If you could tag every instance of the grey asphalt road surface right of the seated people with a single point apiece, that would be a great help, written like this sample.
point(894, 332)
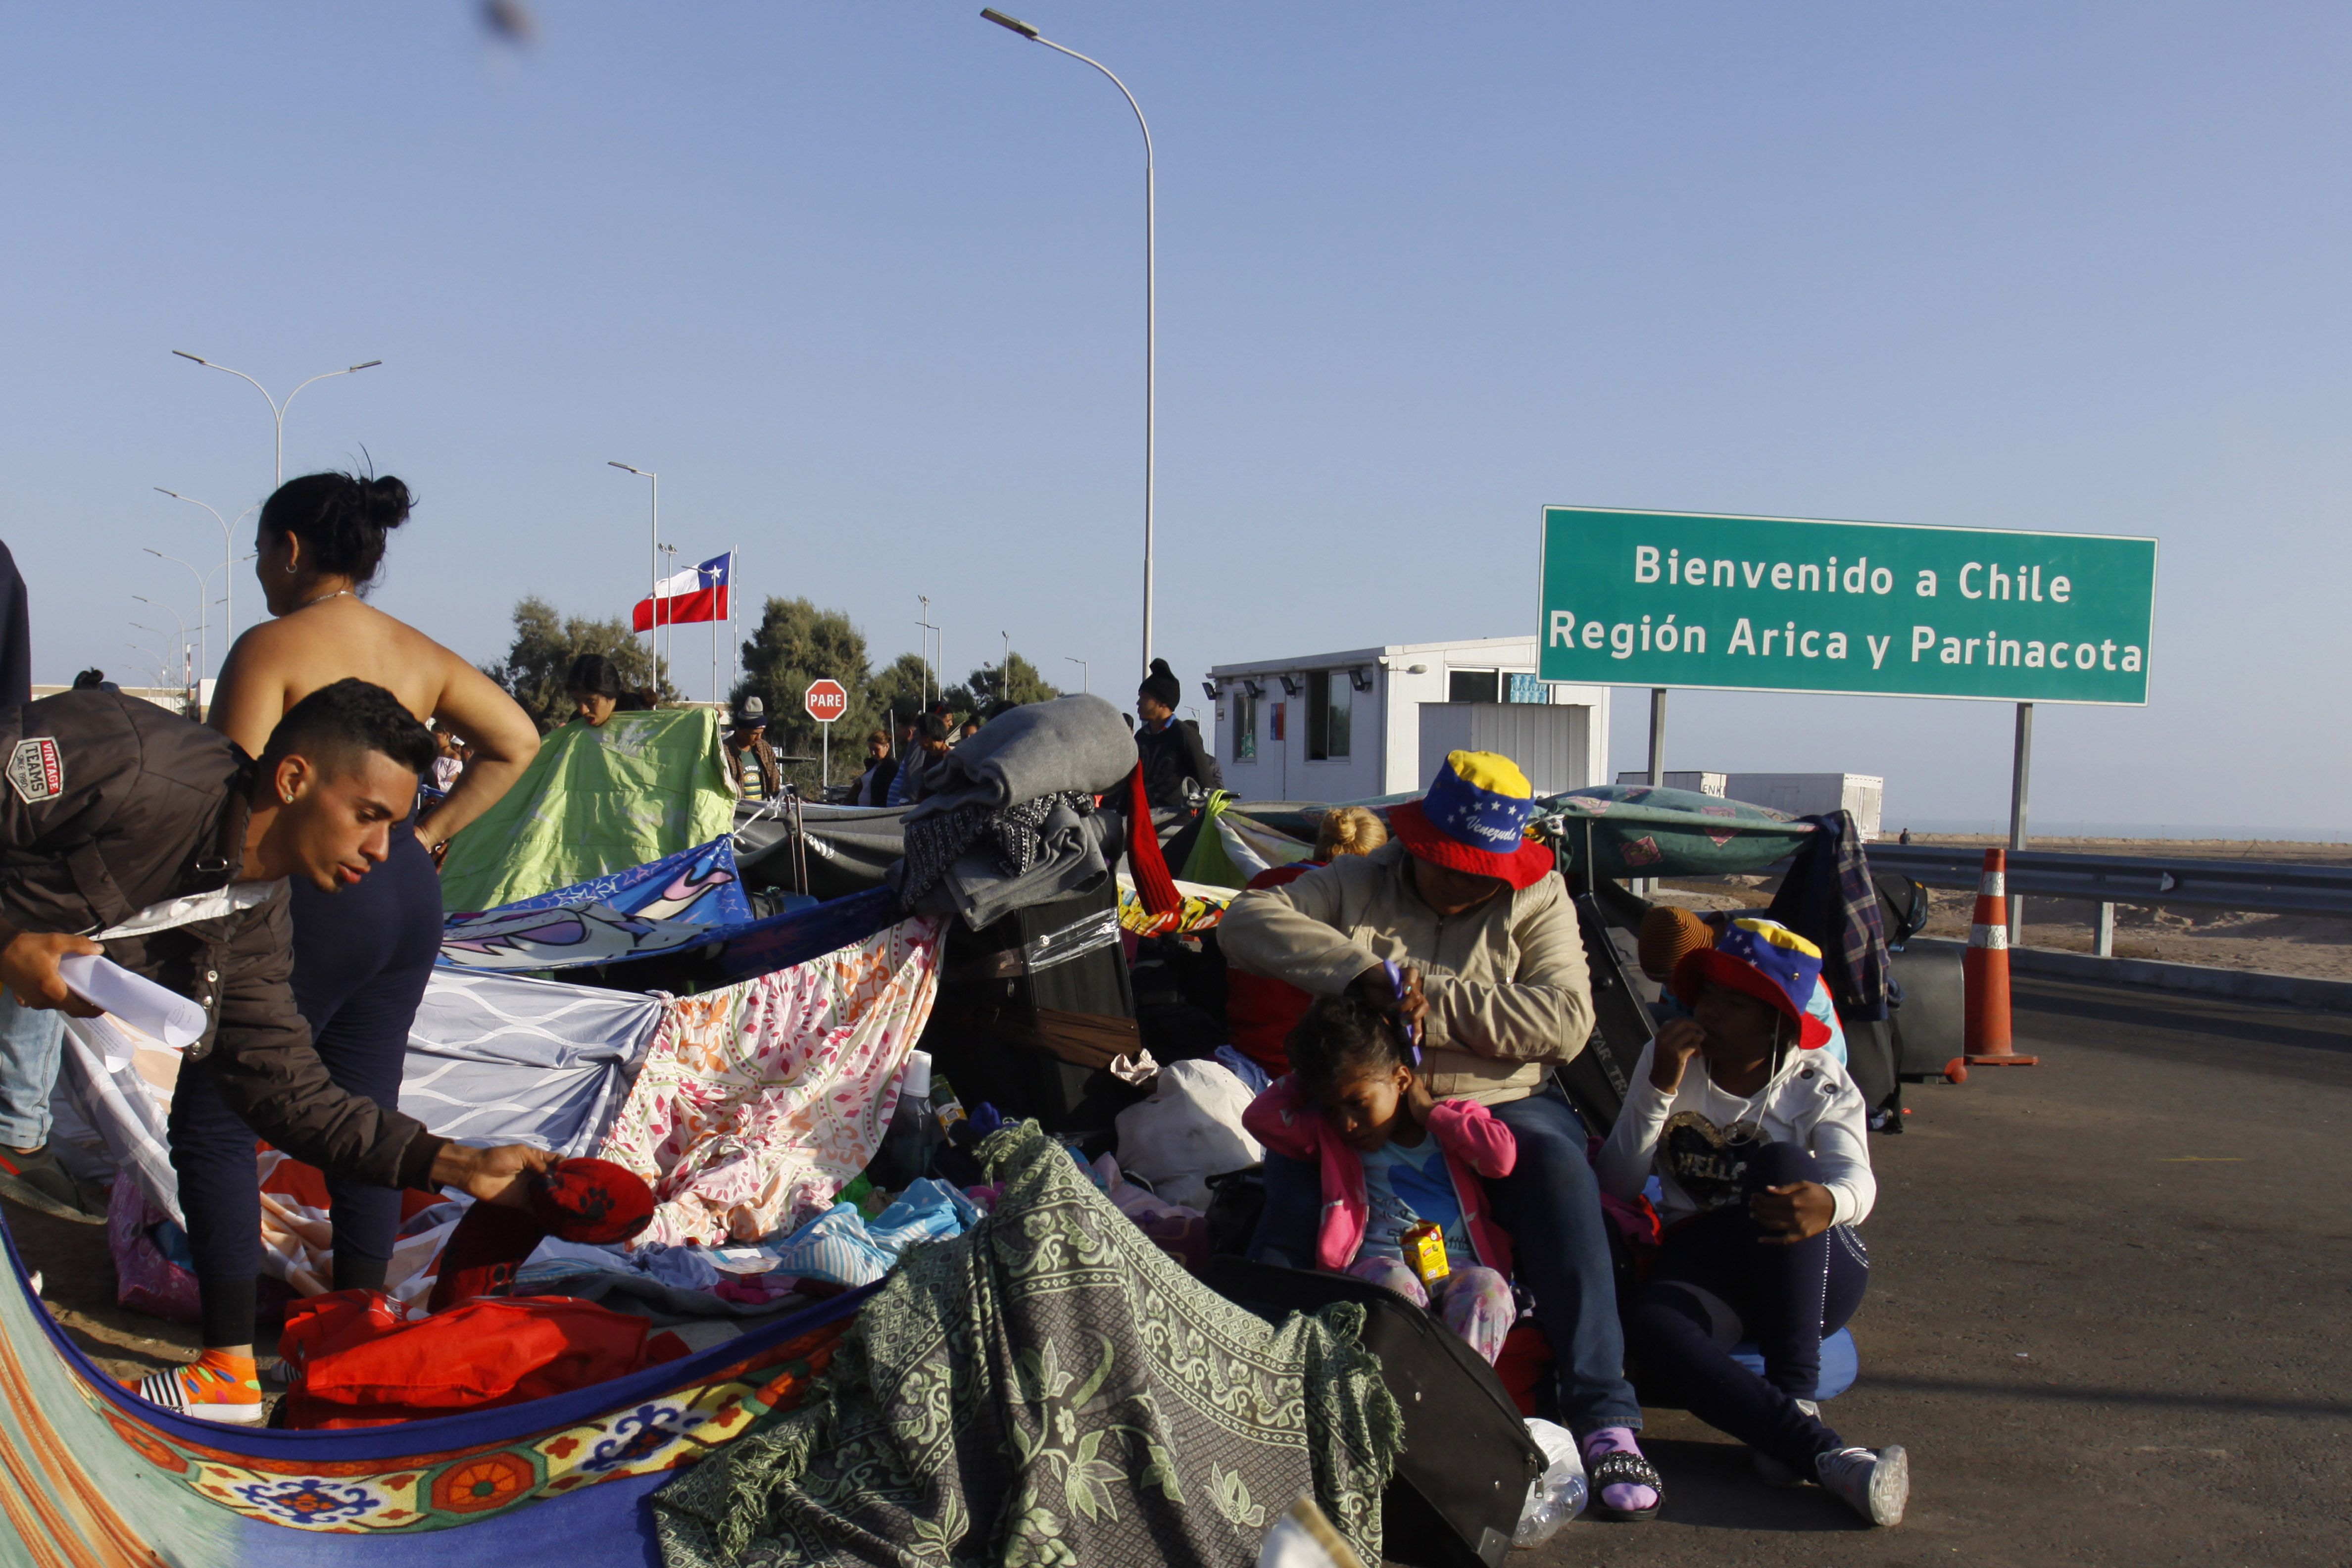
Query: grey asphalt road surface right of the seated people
point(2109, 1313)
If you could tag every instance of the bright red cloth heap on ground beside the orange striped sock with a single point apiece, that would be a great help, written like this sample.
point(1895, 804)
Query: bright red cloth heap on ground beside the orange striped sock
point(363, 1360)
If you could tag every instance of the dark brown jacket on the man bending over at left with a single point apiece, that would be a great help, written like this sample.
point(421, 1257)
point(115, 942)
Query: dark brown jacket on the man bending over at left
point(112, 805)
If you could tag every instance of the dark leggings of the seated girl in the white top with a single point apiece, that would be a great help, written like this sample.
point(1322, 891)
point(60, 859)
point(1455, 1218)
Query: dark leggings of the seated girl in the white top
point(1716, 1285)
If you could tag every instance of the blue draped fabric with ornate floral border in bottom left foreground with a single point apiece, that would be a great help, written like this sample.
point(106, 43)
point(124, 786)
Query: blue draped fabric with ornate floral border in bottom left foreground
point(95, 1475)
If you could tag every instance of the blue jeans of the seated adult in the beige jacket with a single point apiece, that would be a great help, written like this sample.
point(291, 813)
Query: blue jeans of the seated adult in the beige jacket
point(1551, 1209)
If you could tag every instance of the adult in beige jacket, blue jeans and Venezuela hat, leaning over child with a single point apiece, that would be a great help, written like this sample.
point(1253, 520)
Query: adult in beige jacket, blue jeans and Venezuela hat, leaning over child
point(1495, 981)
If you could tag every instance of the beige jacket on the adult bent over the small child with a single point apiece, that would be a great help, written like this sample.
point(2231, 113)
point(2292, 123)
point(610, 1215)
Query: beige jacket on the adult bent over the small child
point(1506, 984)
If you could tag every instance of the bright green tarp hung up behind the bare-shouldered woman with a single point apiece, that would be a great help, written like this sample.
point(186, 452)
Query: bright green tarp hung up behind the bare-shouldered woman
point(596, 800)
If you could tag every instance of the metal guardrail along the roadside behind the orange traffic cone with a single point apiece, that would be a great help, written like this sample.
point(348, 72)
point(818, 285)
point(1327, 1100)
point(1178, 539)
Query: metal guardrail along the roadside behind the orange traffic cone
point(2271, 887)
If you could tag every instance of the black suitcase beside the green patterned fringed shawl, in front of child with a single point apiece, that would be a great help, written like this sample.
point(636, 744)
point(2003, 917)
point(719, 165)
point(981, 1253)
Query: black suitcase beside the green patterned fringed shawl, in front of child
point(1466, 1461)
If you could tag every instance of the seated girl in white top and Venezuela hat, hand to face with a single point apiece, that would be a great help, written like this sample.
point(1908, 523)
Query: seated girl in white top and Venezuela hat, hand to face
point(1763, 1165)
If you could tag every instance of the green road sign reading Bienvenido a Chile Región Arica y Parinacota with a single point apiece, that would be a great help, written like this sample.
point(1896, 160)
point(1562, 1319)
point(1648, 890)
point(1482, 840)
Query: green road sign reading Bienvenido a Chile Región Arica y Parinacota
point(1855, 608)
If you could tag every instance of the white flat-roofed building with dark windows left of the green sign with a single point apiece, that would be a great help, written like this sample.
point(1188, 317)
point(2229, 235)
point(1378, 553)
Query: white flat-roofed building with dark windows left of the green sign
point(1368, 723)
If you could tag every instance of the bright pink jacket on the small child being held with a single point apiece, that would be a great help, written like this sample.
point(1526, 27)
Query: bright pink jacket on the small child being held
point(1476, 1144)
